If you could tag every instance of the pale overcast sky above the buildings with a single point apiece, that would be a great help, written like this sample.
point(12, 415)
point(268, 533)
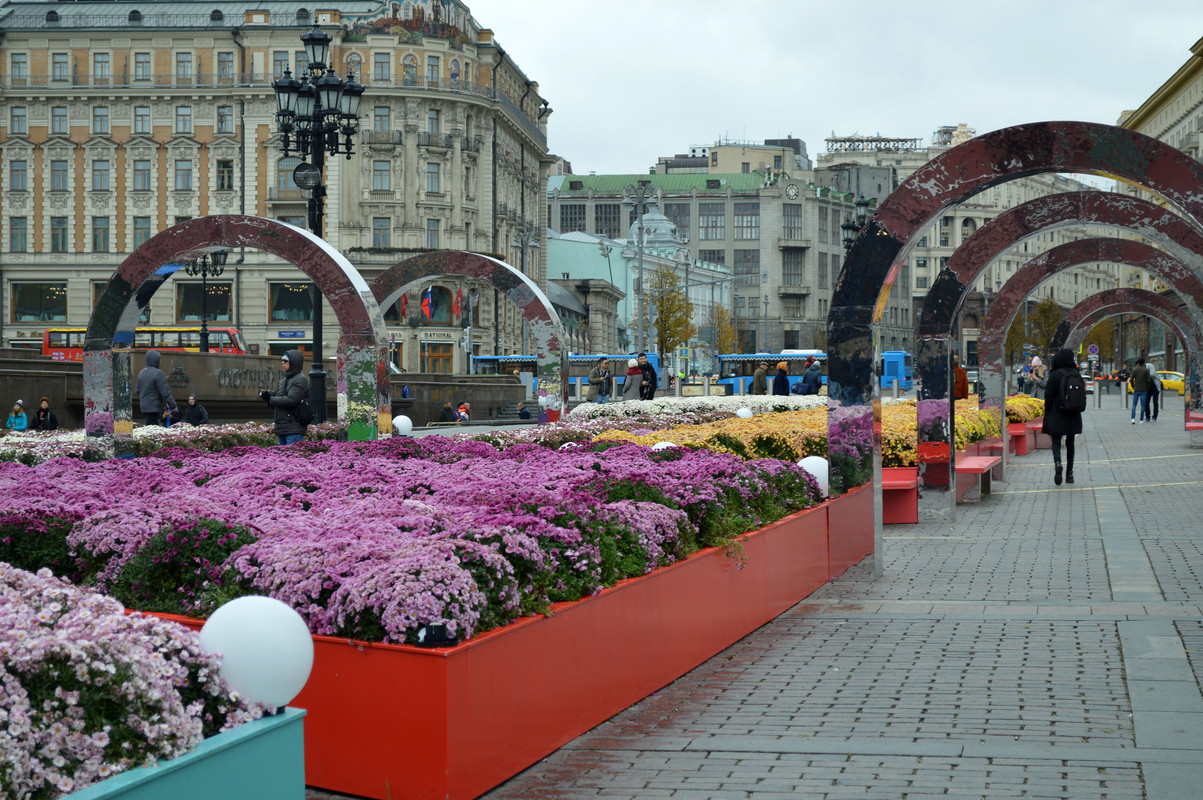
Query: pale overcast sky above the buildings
point(635, 80)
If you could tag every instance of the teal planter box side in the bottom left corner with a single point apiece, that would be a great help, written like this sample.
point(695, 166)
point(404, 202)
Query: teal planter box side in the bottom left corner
point(260, 761)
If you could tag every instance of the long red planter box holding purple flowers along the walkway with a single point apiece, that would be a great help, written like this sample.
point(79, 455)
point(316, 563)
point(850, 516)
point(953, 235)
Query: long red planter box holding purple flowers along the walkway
point(400, 722)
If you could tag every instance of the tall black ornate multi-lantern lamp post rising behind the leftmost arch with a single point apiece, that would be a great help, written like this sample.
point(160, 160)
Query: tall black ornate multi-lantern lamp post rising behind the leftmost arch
point(313, 115)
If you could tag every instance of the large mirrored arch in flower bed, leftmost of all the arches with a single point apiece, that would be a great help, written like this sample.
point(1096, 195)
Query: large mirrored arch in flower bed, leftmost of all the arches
point(362, 345)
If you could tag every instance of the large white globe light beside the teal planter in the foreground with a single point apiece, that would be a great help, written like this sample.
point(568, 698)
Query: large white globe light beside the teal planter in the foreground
point(266, 649)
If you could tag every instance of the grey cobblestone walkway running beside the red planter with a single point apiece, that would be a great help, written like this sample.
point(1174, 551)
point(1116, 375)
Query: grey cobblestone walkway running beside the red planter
point(1047, 644)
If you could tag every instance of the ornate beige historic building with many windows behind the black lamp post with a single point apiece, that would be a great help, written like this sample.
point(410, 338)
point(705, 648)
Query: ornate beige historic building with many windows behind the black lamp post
point(120, 120)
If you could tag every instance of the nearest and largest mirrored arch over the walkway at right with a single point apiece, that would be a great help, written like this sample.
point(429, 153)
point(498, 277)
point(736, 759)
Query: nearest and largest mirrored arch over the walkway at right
point(878, 254)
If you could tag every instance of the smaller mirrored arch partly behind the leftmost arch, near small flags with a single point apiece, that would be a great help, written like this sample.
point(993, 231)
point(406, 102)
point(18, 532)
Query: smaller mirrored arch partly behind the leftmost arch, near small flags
point(547, 331)
